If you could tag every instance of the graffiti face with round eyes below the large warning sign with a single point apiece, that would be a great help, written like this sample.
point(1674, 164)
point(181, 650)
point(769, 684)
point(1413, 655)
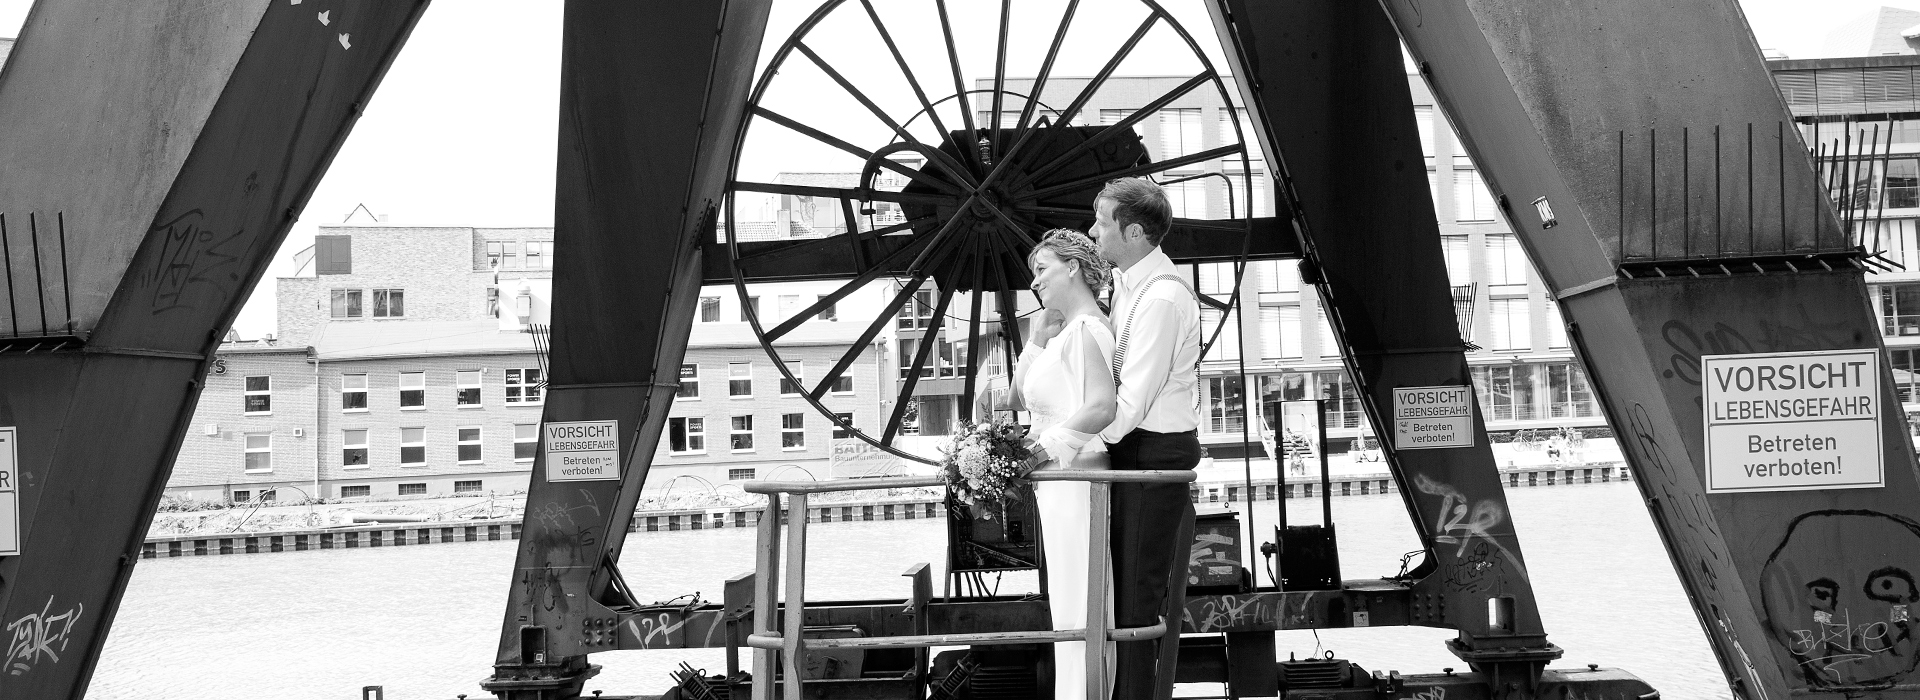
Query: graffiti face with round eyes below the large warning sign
point(1846, 618)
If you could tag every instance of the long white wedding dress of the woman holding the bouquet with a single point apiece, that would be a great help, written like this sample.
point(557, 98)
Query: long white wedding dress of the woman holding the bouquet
point(1053, 388)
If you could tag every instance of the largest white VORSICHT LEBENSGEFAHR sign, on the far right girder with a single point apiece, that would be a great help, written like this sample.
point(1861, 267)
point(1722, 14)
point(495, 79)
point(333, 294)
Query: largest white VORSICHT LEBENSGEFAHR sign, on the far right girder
point(1792, 421)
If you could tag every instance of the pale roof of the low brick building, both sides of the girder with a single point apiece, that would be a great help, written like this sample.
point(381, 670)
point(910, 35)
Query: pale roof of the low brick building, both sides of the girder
point(427, 338)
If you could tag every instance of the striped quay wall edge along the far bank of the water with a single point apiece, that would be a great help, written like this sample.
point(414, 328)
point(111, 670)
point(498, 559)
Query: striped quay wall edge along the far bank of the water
point(410, 534)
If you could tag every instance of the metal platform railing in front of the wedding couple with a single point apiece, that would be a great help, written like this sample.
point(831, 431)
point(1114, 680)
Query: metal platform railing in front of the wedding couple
point(769, 640)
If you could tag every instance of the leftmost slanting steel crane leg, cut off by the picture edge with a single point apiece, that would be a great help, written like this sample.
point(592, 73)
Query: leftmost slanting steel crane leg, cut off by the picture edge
point(178, 143)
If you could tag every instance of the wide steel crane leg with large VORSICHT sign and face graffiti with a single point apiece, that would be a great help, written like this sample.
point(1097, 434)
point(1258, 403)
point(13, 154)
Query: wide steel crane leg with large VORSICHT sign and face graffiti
point(1687, 222)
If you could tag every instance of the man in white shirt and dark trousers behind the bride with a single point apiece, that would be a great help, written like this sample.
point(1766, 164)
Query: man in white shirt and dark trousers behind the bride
point(1157, 319)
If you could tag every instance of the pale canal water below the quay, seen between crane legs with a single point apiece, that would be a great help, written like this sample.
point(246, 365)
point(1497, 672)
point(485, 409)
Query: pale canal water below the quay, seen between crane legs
point(423, 622)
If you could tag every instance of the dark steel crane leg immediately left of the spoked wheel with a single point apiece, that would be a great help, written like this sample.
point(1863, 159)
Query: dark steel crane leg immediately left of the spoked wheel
point(652, 108)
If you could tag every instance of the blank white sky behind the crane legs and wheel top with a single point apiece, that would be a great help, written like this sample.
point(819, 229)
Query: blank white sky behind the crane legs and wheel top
point(462, 131)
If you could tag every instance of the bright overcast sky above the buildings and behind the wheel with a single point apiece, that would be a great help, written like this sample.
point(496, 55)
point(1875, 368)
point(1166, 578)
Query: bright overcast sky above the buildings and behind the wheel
point(462, 131)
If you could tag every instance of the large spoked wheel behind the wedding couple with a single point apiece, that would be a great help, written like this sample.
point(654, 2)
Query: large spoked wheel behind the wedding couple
point(894, 172)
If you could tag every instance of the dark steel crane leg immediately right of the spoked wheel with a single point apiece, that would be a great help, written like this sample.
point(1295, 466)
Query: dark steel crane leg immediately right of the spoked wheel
point(1332, 99)
